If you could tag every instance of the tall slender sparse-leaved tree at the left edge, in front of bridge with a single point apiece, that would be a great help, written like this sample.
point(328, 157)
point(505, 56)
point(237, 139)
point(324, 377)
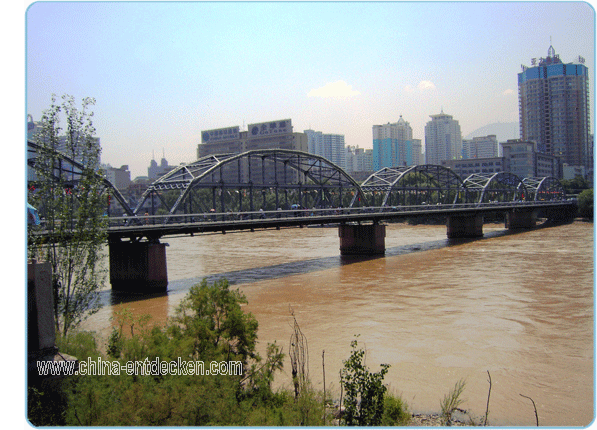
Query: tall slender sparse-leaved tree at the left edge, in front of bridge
point(72, 205)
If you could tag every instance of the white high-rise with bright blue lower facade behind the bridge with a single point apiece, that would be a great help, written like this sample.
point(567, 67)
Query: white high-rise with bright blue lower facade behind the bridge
point(393, 145)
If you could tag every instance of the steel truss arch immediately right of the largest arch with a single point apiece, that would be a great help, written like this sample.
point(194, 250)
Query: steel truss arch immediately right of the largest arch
point(415, 185)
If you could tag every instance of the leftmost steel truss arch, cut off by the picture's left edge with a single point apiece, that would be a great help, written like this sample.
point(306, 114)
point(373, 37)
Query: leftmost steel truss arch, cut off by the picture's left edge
point(74, 169)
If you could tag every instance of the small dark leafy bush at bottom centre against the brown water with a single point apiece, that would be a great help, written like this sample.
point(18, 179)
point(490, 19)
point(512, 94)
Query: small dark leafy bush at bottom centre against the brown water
point(364, 401)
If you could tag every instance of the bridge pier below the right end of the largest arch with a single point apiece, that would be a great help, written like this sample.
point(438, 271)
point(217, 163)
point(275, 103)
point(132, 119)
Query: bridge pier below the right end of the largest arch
point(362, 239)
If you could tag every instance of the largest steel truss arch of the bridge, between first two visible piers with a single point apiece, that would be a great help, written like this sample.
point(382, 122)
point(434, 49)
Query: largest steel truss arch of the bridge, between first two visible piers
point(257, 180)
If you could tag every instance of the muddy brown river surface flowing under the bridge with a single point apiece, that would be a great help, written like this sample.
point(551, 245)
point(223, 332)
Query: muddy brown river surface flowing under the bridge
point(519, 306)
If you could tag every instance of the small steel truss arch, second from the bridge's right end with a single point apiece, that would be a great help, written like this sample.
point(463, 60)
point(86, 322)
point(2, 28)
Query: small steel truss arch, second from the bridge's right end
point(495, 187)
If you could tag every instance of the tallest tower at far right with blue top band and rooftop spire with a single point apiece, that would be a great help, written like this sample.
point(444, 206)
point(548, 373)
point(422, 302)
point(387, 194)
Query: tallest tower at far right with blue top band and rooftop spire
point(554, 108)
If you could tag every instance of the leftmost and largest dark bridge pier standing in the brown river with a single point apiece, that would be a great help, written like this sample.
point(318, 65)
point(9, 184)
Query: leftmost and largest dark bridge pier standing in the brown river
point(138, 267)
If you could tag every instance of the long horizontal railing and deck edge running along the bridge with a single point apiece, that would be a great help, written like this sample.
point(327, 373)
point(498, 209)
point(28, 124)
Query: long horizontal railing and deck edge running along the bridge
point(327, 213)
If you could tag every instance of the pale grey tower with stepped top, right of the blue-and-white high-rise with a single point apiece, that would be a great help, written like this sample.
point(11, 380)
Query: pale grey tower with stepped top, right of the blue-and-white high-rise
point(443, 139)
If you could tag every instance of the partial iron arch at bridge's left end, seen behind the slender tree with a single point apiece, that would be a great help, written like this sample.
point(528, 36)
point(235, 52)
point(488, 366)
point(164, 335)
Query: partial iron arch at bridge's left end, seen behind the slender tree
point(69, 172)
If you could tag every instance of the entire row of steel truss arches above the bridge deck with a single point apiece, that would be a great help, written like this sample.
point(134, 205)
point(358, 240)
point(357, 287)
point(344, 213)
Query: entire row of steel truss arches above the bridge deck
point(272, 179)
